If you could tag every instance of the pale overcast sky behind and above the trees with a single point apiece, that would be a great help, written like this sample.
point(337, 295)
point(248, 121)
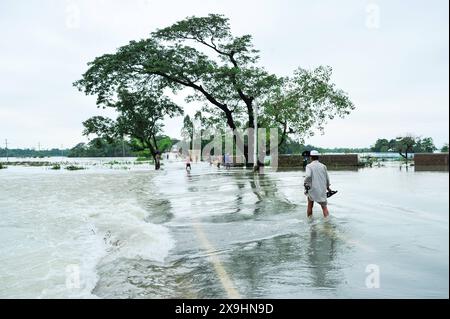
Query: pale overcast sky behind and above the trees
point(391, 57)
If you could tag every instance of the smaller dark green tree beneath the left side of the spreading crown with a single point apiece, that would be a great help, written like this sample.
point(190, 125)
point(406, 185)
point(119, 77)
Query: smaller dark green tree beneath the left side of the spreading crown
point(140, 116)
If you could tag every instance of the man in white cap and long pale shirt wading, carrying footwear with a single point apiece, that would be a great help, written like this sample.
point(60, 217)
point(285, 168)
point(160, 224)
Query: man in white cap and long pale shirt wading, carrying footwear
point(317, 183)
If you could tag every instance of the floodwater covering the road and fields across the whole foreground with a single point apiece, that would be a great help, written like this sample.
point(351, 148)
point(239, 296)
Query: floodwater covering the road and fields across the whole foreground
point(217, 233)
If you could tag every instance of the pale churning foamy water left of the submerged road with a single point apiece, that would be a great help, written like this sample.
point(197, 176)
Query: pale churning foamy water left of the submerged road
point(57, 228)
